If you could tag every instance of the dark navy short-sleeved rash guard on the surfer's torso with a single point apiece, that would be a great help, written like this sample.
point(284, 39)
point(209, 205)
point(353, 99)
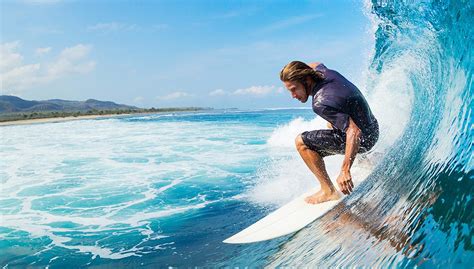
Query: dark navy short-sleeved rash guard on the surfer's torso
point(336, 99)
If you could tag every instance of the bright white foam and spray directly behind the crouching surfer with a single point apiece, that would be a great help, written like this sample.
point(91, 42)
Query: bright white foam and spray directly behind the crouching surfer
point(390, 96)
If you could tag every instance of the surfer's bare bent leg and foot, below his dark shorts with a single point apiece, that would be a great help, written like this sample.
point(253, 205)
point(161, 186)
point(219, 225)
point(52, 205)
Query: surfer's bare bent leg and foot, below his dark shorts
point(315, 163)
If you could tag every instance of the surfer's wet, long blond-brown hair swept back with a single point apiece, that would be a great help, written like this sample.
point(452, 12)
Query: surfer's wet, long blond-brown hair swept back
point(299, 71)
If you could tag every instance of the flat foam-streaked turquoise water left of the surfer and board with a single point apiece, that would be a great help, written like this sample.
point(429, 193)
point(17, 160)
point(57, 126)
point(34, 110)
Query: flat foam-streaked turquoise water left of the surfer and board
point(161, 189)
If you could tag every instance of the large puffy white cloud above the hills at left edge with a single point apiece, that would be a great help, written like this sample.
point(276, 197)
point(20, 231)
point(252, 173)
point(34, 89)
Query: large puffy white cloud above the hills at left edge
point(17, 76)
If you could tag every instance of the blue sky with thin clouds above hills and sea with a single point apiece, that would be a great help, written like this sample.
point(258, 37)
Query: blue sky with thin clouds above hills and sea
point(220, 54)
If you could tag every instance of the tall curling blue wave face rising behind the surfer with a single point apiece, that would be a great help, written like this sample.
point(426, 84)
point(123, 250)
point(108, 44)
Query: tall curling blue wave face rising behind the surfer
point(416, 208)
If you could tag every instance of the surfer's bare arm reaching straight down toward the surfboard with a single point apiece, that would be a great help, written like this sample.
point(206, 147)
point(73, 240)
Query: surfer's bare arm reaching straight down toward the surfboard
point(353, 134)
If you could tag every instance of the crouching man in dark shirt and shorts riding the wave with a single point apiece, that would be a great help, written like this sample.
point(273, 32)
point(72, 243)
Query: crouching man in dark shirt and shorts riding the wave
point(353, 127)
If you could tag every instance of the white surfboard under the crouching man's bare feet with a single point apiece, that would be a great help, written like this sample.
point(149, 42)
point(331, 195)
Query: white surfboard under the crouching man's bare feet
point(288, 219)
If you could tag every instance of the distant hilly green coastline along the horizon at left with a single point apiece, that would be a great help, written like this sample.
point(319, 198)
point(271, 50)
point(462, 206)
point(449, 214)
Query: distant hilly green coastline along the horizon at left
point(13, 108)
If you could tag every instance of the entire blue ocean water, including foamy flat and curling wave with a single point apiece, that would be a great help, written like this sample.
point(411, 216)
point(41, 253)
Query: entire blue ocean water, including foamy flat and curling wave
point(165, 189)
